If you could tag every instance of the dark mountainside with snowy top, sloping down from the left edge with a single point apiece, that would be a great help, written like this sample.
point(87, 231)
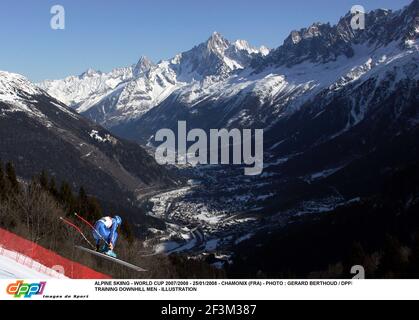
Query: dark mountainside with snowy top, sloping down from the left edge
point(41, 133)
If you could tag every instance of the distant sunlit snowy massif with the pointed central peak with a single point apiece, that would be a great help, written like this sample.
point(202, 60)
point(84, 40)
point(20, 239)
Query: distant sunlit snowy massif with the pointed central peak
point(126, 94)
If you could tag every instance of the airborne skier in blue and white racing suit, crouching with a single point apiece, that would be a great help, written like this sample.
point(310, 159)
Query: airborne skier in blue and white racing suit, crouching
point(106, 231)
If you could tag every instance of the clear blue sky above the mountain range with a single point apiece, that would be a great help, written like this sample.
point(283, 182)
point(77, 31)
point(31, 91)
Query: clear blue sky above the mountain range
point(105, 34)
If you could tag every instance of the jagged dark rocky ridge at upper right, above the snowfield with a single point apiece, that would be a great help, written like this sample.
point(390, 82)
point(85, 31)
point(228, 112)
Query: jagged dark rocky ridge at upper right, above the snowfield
point(322, 42)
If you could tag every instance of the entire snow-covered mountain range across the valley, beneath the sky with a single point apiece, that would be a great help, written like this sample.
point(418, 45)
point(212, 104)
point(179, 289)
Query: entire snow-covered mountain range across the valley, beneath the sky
point(249, 86)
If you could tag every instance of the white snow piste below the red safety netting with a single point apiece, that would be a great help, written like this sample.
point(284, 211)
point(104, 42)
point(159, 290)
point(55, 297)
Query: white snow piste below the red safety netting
point(17, 266)
